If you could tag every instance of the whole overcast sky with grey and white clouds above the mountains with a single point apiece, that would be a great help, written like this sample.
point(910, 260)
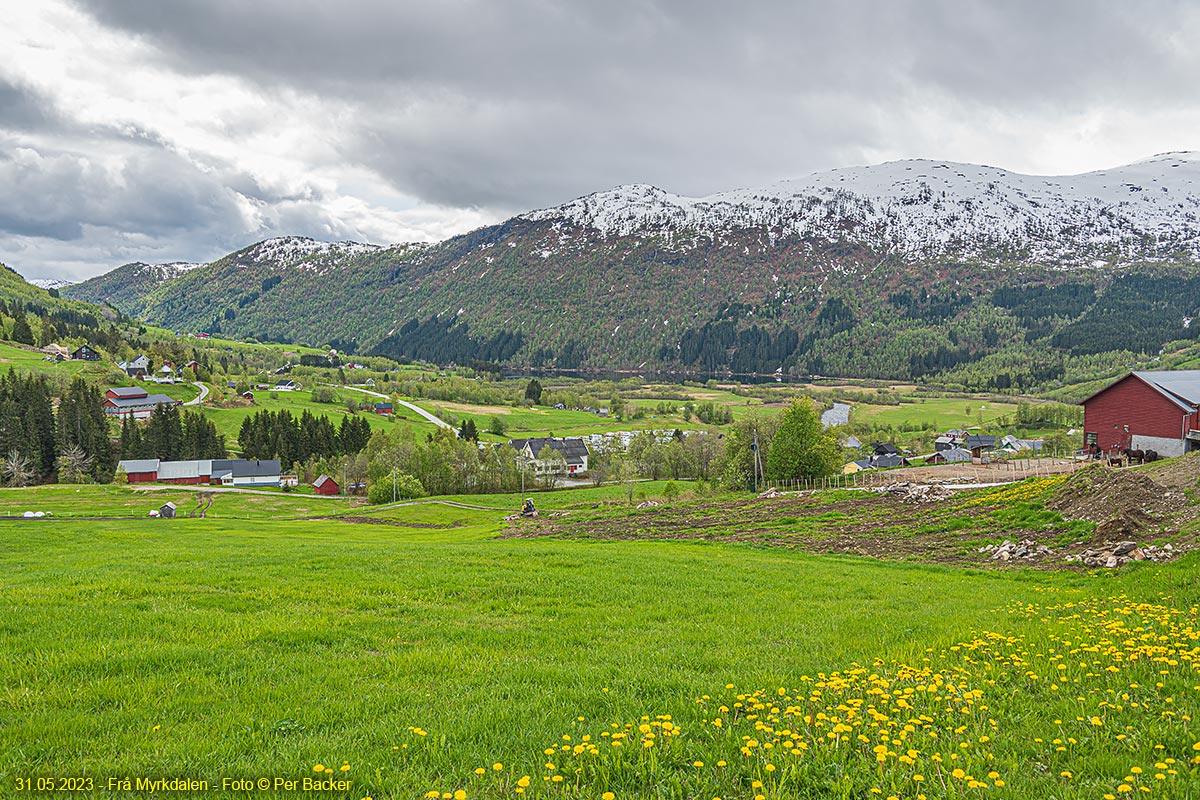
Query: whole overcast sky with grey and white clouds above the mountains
point(143, 130)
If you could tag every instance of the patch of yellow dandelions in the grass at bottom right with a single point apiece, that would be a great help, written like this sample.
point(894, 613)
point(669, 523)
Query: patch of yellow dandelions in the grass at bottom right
point(1088, 700)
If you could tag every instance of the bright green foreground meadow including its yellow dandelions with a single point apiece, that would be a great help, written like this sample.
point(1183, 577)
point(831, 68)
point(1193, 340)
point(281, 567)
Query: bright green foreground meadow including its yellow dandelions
point(422, 654)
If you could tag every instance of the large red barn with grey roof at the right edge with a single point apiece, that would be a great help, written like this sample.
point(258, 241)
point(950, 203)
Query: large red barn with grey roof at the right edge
point(1147, 411)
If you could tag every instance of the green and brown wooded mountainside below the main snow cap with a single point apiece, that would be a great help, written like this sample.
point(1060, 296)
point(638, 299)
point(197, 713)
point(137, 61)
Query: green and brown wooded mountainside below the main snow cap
point(518, 294)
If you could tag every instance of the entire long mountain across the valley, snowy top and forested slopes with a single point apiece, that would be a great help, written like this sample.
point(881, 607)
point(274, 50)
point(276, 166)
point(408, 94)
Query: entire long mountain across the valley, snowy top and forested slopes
point(898, 270)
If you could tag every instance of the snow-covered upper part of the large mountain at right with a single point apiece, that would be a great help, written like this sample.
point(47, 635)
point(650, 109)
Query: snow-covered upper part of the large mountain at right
point(921, 209)
